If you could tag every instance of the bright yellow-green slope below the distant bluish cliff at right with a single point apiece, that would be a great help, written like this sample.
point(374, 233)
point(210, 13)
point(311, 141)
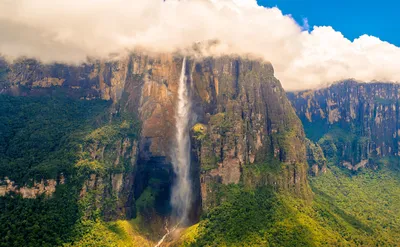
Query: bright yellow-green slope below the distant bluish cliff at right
point(367, 204)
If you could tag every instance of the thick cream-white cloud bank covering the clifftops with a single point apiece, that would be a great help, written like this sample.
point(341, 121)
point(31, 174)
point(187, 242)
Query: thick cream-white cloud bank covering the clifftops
point(71, 30)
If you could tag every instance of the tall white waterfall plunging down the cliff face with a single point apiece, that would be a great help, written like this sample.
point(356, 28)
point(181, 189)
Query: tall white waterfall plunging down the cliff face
point(182, 188)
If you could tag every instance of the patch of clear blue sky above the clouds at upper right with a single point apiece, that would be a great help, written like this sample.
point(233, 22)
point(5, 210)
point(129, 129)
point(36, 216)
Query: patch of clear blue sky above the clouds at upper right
point(351, 17)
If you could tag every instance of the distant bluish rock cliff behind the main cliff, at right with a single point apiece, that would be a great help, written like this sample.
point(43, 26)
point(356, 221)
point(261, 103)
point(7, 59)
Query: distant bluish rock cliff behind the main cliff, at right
point(353, 122)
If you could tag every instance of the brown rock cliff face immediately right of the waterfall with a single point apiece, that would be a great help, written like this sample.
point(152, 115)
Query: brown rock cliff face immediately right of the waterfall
point(247, 132)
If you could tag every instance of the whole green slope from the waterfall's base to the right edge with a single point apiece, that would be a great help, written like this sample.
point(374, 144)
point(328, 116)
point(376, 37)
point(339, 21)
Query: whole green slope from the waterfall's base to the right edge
point(348, 210)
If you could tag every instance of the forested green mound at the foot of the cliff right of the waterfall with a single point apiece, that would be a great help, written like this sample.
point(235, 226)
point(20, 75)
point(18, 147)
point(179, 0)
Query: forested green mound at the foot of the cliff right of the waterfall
point(252, 218)
